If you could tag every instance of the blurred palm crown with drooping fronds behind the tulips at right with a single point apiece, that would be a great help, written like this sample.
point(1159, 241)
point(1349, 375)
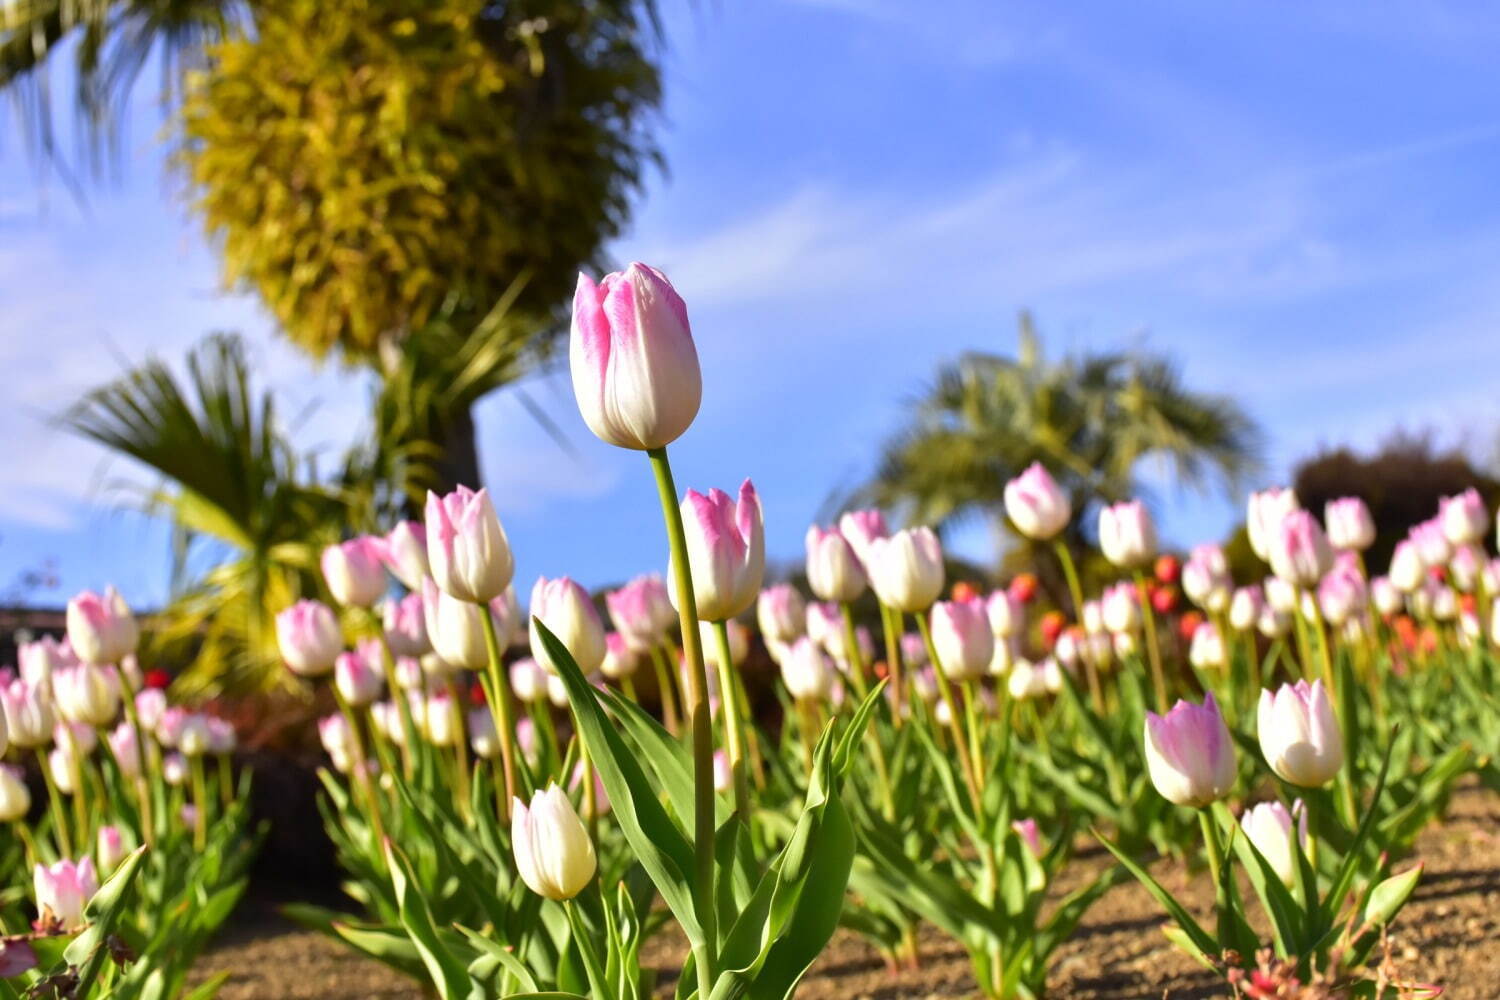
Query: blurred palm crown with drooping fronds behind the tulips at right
point(1093, 421)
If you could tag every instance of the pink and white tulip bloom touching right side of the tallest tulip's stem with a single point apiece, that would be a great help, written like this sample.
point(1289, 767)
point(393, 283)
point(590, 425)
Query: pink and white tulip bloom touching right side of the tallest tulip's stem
point(725, 551)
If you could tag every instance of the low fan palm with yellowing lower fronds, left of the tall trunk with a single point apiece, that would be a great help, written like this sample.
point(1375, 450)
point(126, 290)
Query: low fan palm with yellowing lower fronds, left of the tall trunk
point(248, 519)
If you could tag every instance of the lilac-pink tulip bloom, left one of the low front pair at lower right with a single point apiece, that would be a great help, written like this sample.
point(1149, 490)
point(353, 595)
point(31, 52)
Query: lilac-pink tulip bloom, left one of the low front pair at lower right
point(1190, 755)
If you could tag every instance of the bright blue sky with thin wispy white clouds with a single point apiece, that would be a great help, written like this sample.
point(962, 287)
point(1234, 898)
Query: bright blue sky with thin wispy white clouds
point(1297, 202)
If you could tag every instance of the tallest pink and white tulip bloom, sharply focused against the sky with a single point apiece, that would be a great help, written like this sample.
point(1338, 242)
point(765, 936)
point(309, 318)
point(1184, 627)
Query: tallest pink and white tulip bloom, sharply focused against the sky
point(632, 356)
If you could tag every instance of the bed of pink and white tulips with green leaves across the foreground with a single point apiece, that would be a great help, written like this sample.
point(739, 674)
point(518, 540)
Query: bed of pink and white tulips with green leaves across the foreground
point(958, 776)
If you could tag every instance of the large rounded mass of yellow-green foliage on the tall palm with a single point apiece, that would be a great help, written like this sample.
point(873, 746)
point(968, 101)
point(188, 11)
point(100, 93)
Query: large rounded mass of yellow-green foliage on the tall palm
point(367, 164)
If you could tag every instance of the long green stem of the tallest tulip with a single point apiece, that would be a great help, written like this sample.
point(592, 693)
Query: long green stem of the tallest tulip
point(707, 960)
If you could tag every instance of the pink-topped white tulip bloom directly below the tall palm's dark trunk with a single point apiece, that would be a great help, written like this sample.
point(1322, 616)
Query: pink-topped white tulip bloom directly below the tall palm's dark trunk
point(467, 548)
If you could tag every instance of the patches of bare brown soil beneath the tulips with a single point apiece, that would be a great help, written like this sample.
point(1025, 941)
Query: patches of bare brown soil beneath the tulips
point(1450, 935)
